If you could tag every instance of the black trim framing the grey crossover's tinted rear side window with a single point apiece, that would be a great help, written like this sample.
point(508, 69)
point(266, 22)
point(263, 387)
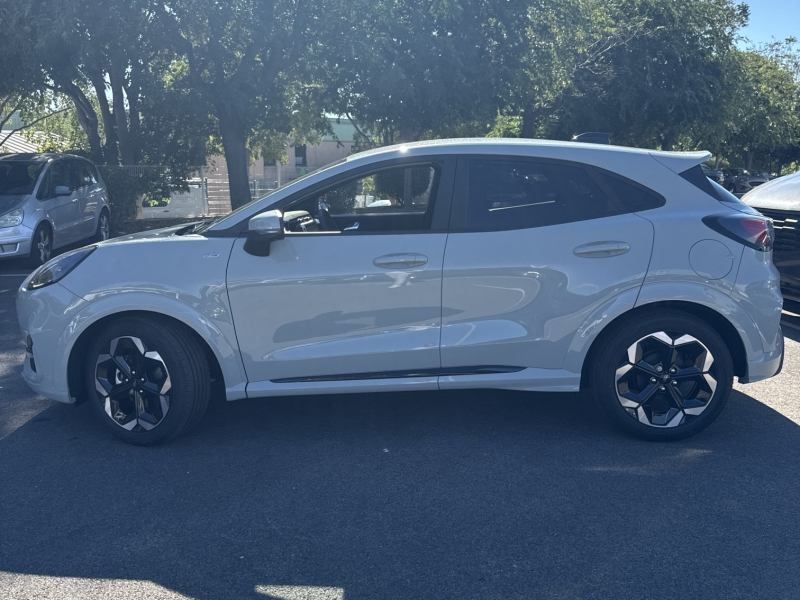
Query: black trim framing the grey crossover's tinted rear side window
point(458, 217)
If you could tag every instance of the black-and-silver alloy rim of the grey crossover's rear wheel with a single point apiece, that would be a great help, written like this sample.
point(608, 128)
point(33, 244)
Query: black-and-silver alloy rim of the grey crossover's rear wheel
point(666, 379)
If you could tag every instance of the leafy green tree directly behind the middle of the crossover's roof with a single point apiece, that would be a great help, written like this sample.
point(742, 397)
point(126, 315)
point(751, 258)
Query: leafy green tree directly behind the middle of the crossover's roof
point(409, 68)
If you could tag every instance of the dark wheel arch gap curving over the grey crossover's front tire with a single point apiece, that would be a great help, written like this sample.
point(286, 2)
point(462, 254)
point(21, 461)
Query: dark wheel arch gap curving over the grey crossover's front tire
point(81, 346)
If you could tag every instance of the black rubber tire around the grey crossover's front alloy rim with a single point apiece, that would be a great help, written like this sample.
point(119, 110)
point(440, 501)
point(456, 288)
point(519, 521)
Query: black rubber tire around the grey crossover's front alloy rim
point(162, 339)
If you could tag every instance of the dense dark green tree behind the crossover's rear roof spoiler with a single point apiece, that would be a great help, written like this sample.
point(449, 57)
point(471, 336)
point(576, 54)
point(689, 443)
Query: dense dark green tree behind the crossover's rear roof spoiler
point(667, 82)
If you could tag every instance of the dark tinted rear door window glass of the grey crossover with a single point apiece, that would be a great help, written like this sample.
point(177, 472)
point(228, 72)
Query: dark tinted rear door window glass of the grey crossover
point(520, 194)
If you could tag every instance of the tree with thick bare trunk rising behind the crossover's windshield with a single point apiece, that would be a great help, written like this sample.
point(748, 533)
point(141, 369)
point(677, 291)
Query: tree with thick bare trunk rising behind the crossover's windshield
point(242, 58)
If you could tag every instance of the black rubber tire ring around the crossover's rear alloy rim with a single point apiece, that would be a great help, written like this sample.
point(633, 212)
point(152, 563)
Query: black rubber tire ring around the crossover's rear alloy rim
point(615, 346)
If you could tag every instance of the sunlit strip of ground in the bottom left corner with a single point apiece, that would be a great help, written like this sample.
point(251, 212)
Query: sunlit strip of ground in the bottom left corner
point(22, 586)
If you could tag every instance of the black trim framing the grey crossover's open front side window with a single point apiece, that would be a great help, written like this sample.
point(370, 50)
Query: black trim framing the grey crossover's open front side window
point(441, 206)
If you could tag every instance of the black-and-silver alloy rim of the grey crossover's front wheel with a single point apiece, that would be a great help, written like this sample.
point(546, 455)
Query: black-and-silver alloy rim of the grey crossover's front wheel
point(133, 384)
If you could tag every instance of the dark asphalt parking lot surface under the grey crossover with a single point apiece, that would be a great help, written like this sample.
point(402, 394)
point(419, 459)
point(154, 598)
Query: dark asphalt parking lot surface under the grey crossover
point(461, 495)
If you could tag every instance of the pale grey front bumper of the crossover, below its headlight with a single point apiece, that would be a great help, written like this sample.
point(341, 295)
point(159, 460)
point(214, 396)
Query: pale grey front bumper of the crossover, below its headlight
point(46, 320)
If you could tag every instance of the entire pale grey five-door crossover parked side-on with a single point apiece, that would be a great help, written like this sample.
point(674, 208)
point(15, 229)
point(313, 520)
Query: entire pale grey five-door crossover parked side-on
point(502, 264)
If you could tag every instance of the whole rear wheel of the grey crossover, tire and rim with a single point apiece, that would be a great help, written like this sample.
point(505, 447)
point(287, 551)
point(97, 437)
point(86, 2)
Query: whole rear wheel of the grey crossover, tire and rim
point(655, 406)
